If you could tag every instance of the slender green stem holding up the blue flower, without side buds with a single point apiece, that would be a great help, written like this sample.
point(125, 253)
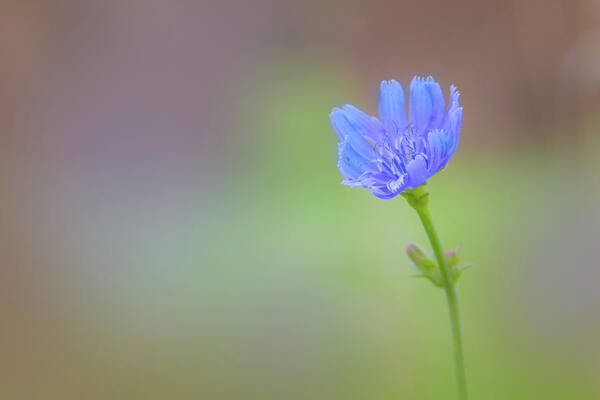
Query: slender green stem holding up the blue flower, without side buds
point(419, 200)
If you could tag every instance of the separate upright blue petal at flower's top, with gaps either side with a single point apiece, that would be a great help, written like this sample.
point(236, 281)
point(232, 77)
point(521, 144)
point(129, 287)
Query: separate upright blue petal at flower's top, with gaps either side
point(392, 107)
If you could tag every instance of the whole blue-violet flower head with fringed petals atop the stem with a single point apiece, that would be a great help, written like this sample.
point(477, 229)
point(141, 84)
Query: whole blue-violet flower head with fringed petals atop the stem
point(394, 153)
